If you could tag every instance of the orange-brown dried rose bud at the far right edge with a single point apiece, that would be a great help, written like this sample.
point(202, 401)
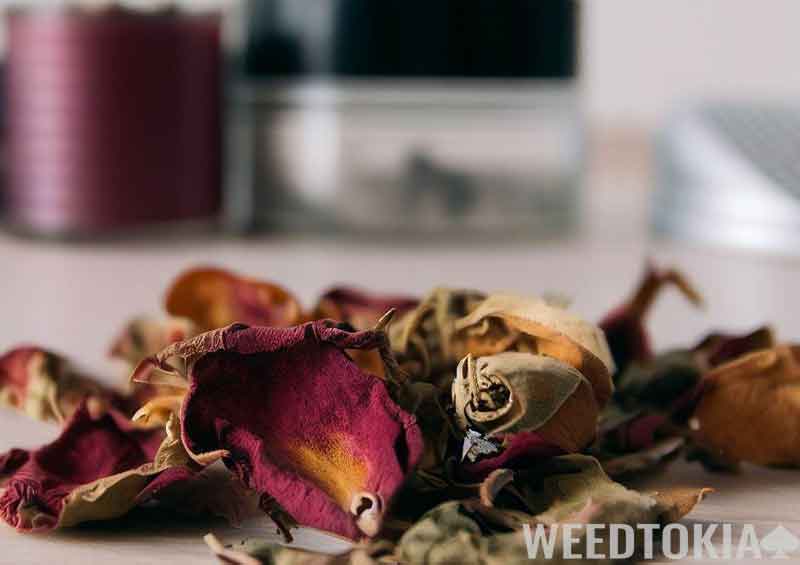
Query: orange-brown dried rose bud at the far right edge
point(750, 408)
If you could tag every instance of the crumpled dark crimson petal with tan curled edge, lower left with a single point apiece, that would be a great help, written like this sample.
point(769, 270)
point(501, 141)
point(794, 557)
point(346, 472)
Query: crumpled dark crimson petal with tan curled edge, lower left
point(97, 469)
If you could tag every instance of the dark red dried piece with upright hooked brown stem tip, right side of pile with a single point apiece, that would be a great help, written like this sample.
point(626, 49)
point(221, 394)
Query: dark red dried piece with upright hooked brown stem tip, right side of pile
point(624, 326)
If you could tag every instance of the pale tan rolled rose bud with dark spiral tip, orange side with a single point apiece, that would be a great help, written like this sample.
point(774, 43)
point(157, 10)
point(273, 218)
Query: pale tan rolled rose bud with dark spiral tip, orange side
point(532, 404)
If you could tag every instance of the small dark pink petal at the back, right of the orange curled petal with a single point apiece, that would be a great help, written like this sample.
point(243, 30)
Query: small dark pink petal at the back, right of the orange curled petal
point(360, 309)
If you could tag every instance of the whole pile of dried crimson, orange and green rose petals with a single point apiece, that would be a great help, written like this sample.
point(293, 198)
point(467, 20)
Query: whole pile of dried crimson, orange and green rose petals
point(424, 431)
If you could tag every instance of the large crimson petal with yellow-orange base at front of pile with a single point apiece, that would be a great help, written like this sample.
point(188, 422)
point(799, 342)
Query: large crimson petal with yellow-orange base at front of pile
point(299, 420)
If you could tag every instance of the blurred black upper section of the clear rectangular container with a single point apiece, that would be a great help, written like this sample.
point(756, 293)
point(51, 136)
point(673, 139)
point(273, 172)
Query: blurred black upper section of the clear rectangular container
point(412, 38)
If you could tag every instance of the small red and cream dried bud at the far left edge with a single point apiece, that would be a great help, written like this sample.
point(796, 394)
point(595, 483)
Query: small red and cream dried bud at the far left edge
point(46, 387)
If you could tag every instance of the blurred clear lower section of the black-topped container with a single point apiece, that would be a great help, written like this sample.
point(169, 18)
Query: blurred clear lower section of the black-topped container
point(405, 156)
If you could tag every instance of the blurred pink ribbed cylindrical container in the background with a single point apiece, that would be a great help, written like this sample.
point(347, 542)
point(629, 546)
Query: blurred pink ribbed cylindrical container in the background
point(113, 119)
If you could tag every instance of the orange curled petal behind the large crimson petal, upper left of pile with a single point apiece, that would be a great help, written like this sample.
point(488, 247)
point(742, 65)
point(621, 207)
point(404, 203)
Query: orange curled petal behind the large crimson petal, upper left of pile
point(214, 298)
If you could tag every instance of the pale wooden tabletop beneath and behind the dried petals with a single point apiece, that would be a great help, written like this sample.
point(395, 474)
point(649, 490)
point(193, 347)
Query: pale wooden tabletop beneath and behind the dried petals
point(74, 298)
